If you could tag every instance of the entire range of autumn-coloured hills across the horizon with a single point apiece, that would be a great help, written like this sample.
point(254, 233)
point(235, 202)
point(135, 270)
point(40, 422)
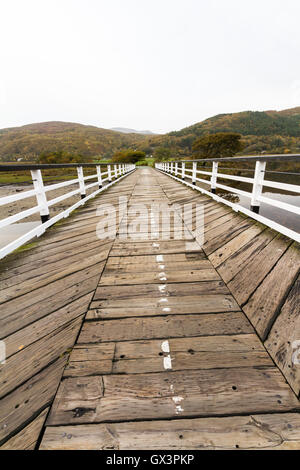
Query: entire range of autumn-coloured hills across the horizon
point(266, 131)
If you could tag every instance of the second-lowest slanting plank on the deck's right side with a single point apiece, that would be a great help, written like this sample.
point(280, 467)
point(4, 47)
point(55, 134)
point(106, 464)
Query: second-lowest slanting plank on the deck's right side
point(264, 304)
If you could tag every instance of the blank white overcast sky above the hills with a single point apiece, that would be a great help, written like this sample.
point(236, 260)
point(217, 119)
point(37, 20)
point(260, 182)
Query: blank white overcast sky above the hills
point(146, 64)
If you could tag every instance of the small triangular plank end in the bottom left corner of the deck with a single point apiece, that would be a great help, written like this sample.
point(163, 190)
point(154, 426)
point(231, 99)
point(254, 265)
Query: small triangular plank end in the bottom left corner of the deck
point(27, 438)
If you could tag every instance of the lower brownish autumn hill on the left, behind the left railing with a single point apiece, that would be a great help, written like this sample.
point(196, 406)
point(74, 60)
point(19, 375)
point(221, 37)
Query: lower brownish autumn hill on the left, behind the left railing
point(28, 142)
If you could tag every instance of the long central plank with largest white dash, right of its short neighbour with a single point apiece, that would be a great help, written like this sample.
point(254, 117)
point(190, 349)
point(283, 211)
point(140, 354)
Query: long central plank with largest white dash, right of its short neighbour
point(190, 354)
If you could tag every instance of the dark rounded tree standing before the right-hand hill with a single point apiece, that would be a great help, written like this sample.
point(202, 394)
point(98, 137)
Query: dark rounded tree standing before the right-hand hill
point(222, 144)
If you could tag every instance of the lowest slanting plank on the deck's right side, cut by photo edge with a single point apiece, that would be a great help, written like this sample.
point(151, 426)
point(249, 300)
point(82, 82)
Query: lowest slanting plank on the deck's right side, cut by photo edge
point(283, 340)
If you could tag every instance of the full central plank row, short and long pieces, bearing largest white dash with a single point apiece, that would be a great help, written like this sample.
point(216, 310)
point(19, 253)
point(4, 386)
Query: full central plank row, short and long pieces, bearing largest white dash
point(136, 357)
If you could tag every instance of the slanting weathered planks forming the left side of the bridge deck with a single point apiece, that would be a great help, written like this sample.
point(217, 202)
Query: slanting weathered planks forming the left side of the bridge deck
point(46, 292)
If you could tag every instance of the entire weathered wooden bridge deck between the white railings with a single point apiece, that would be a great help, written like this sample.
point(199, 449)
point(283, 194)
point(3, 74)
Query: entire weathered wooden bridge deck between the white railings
point(123, 344)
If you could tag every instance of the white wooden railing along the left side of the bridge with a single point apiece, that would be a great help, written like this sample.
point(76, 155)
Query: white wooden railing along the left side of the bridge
point(113, 173)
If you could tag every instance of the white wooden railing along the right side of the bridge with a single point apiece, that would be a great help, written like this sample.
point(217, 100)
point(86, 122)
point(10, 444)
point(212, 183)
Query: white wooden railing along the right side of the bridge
point(179, 171)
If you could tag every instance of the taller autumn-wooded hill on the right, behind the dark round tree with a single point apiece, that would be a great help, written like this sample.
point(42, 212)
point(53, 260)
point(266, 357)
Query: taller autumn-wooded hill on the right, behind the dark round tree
point(266, 131)
